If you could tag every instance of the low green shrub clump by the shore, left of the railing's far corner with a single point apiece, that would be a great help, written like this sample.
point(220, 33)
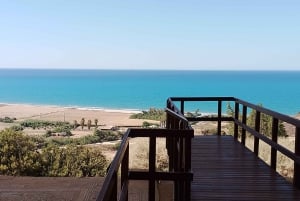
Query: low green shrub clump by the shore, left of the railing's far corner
point(152, 114)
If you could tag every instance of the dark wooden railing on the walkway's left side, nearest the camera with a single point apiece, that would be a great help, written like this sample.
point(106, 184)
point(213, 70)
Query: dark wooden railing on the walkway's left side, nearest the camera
point(178, 136)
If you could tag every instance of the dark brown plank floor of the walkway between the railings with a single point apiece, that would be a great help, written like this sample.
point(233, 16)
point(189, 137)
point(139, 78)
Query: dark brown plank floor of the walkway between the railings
point(225, 170)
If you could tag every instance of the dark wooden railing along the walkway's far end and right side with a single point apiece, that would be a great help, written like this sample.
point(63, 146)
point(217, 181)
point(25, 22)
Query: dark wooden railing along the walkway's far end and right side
point(241, 123)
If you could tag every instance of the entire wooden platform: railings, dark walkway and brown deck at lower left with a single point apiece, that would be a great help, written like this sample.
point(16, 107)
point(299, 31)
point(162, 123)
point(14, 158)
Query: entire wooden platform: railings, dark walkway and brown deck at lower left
point(217, 166)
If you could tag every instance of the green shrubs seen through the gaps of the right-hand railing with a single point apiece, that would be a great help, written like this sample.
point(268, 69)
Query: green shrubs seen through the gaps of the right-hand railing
point(265, 122)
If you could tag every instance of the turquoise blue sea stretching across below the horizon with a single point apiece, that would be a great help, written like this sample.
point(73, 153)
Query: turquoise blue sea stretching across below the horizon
point(133, 89)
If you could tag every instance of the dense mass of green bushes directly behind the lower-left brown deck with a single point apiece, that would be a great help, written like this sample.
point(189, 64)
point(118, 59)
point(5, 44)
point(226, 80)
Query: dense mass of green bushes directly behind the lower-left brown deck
point(21, 155)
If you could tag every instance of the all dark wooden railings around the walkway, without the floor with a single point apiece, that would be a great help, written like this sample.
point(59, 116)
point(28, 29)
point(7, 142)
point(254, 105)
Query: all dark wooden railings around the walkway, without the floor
point(178, 134)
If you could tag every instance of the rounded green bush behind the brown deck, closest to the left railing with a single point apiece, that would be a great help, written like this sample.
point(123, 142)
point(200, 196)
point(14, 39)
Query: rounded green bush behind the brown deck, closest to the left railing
point(73, 161)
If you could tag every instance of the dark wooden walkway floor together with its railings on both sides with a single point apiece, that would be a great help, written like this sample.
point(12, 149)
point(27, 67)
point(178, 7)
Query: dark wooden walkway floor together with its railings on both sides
point(212, 167)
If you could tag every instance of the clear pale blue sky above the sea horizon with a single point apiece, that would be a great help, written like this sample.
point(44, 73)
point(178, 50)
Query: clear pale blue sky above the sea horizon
point(150, 34)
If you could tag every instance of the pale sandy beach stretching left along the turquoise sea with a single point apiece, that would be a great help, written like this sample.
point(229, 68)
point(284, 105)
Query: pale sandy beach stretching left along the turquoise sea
point(106, 118)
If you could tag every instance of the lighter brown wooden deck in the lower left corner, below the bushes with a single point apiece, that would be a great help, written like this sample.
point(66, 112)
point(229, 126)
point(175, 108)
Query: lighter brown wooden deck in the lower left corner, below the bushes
point(49, 188)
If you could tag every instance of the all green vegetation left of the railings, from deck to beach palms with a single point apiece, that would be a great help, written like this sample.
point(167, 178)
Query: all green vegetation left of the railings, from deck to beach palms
point(49, 155)
